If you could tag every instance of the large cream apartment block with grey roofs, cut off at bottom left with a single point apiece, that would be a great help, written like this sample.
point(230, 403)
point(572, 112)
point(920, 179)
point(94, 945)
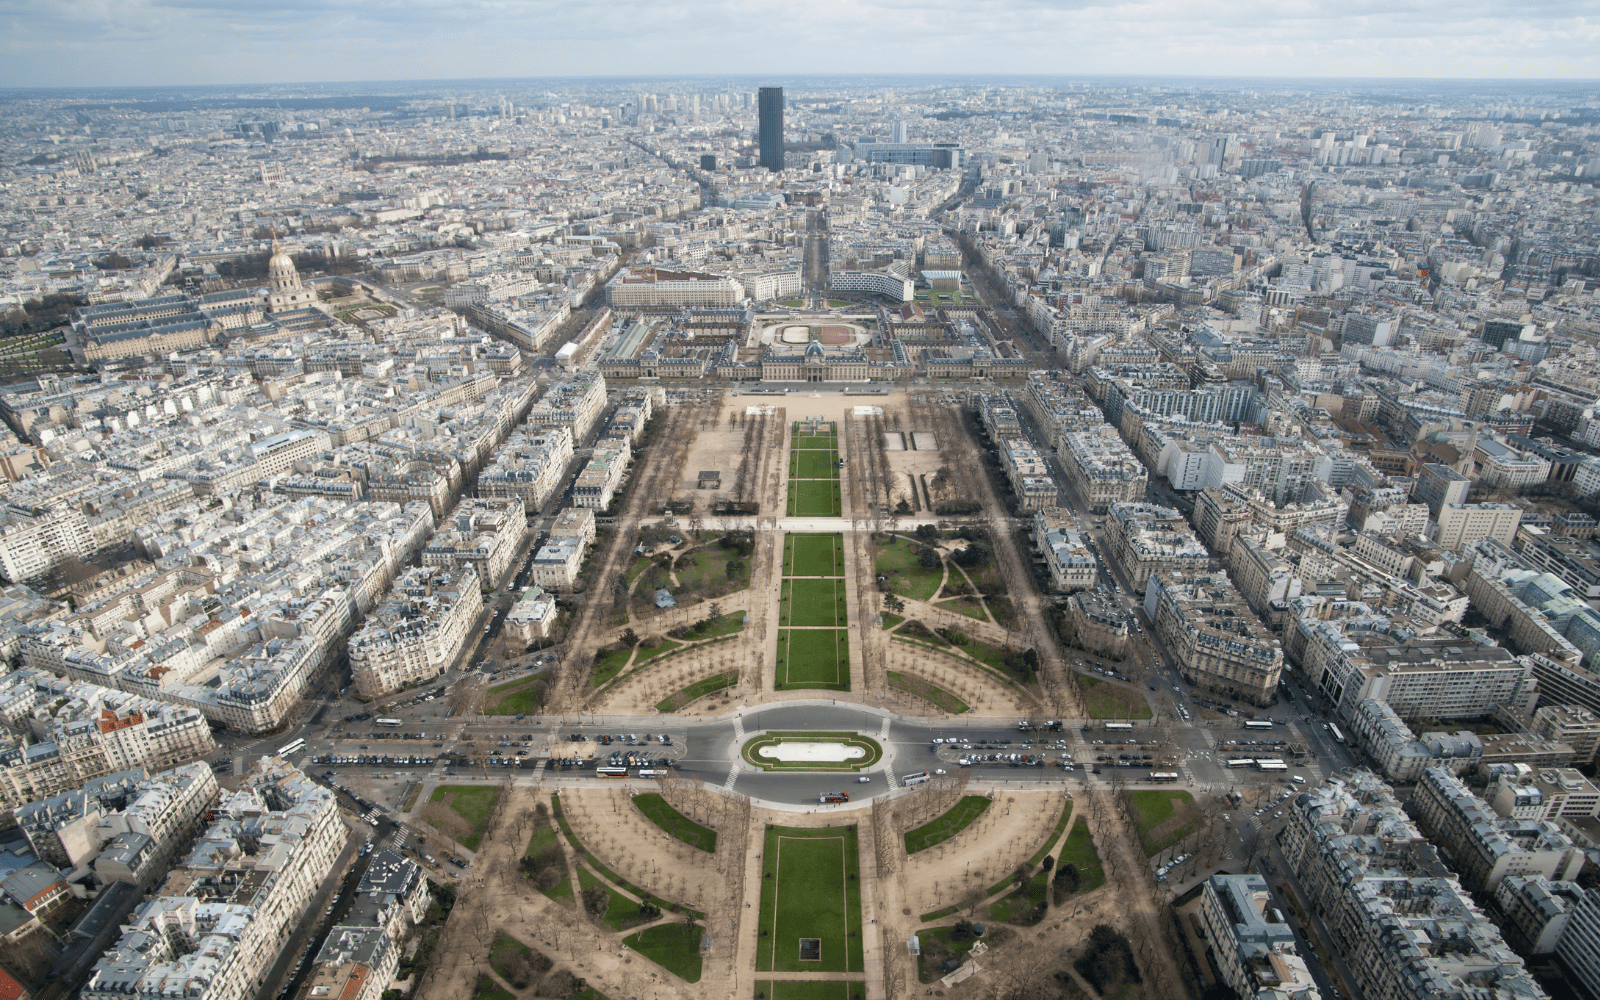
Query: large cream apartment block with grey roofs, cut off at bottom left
point(220, 921)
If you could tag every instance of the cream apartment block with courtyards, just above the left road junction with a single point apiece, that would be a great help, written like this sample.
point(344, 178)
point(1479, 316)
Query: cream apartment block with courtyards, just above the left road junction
point(420, 631)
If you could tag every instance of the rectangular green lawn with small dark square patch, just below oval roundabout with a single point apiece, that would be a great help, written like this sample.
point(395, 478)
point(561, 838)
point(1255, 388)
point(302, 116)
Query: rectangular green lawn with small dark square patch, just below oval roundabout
point(810, 889)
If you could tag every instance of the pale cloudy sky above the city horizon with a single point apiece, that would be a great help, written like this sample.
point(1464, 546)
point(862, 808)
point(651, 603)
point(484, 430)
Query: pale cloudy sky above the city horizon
point(198, 42)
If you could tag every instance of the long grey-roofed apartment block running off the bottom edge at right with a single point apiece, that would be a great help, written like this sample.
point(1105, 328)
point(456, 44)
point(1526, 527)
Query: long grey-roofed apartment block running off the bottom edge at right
point(1399, 918)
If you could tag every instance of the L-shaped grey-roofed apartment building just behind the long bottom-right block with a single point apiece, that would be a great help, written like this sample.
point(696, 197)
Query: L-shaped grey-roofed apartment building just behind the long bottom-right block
point(1484, 847)
